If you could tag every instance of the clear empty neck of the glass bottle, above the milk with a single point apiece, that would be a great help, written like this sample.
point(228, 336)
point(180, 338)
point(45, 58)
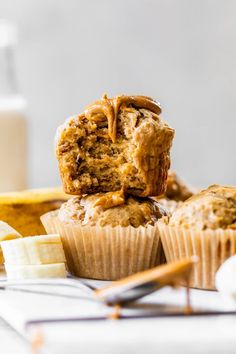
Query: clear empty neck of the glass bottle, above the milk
point(8, 85)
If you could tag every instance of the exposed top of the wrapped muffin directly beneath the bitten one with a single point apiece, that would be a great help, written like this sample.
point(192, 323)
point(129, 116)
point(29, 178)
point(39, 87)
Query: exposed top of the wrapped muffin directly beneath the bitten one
point(111, 209)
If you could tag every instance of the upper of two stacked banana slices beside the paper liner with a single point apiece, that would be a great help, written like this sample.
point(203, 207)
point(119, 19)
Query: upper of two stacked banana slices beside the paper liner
point(46, 249)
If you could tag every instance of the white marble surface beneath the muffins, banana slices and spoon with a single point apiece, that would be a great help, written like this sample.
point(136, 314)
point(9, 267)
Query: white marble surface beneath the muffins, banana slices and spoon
point(190, 335)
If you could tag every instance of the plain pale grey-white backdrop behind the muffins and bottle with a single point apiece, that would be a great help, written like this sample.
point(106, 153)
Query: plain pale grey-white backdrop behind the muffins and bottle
point(182, 52)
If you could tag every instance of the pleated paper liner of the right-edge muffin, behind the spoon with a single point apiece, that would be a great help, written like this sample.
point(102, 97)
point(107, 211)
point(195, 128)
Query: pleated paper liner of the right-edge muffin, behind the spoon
point(212, 247)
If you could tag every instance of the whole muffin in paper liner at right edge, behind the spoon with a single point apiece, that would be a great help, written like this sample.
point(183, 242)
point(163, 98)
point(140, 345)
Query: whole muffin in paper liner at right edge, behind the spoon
point(204, 225)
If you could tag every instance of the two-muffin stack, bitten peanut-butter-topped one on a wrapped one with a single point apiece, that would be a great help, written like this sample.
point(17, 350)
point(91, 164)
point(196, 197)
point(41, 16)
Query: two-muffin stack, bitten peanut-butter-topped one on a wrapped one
point(113, 156)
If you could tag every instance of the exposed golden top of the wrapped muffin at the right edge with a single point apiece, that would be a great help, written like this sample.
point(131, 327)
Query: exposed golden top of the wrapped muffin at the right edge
point(212, 208)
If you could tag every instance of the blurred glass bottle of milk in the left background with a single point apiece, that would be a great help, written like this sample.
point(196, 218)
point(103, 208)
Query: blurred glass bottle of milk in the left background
point(13, 124)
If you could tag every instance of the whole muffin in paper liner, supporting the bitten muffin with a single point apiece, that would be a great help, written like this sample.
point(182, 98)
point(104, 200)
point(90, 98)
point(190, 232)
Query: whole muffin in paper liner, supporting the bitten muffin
point(107, 236)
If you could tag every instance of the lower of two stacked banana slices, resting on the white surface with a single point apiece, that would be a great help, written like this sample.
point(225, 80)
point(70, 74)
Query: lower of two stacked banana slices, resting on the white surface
point(16, 272)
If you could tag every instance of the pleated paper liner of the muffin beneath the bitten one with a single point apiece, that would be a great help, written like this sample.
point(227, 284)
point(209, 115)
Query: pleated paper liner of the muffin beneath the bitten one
point(106, 253)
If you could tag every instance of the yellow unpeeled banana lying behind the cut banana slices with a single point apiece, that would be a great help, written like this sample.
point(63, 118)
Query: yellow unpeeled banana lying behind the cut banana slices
point(22, 210)
